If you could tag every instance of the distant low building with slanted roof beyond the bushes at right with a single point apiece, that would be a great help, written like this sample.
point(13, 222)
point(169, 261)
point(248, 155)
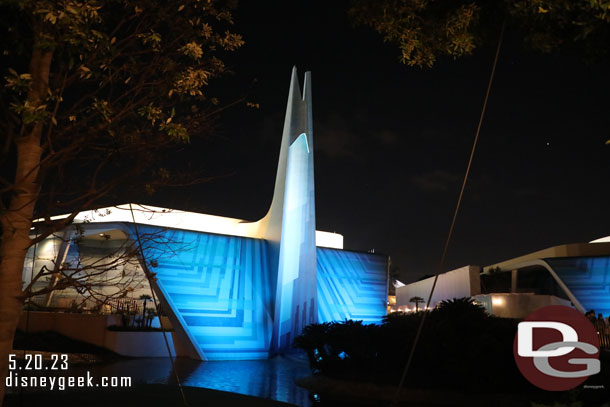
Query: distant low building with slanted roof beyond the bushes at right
point(576, 275)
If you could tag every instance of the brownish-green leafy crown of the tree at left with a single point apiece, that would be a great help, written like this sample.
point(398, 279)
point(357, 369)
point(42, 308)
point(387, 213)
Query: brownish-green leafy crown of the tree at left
point(128, 79)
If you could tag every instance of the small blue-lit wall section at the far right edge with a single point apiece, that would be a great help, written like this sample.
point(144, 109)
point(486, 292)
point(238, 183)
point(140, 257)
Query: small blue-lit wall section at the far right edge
point(588, 278)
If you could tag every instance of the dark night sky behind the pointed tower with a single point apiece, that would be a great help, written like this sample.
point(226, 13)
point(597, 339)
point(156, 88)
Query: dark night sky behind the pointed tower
point(392, 142)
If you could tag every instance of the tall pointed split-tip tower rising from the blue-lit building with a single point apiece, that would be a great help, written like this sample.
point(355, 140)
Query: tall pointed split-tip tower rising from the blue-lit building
point(290, 224)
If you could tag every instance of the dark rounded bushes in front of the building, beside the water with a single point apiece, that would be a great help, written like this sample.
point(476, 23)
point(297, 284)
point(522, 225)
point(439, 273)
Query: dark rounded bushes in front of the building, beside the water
point(461, 347)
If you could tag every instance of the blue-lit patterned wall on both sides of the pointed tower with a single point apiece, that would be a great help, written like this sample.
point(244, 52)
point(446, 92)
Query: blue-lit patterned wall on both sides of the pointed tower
point(220, 289)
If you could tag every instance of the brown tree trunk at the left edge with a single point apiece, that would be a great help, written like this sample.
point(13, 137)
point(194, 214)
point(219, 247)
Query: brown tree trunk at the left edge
point(17, 219)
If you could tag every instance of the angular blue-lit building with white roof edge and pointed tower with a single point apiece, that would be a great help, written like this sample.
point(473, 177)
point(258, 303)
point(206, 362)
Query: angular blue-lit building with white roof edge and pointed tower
point(236, 289)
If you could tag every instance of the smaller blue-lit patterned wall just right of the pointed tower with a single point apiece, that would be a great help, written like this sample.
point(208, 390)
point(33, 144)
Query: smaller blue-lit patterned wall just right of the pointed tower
point(351, 285)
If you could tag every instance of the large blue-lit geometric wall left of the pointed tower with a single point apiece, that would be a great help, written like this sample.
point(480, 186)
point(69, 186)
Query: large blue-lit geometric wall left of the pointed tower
point(219, 288)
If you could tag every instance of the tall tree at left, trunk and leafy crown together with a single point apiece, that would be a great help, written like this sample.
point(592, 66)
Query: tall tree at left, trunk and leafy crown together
point(95, 92)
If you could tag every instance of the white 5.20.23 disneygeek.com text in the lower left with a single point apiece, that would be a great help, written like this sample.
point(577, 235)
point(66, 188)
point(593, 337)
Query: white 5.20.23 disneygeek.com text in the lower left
point(19, 377)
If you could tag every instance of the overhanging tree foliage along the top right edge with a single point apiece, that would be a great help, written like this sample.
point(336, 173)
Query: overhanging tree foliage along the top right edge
point(425, 30)
